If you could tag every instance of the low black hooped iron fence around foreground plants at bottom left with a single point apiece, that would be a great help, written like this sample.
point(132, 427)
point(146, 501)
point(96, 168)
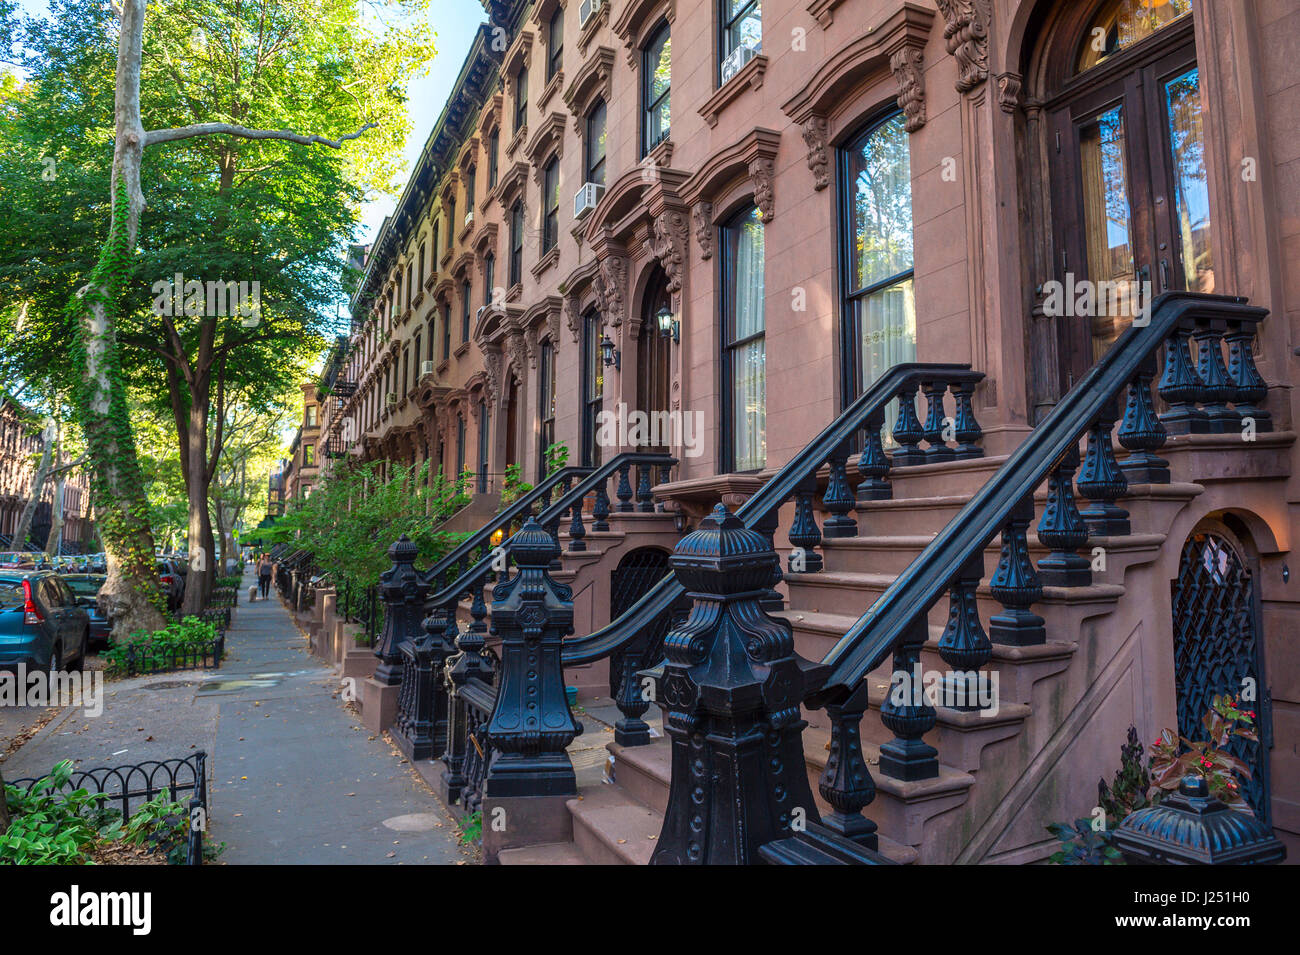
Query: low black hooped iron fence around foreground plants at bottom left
point(131, 787)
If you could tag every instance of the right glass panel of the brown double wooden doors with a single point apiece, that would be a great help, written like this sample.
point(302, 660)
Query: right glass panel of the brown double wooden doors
point(1191, 189)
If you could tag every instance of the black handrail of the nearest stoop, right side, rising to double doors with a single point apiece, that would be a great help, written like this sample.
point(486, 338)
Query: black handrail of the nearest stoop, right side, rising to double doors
point(866, 645)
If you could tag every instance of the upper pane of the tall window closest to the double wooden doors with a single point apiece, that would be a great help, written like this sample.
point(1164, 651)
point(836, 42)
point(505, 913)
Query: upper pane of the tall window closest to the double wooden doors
point(881, 172)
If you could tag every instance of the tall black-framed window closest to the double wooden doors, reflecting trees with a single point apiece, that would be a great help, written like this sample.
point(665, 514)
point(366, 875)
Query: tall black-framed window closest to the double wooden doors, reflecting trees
point(877, 254)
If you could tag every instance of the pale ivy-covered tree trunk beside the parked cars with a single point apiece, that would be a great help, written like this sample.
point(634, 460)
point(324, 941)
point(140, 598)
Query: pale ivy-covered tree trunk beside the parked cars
point(132, 589)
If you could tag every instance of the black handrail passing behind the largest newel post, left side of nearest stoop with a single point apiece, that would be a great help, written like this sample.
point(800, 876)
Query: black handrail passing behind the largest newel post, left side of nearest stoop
point(761, 509)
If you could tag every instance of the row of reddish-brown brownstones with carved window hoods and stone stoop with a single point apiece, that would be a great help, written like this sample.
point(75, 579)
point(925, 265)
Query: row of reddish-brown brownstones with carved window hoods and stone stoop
point(751, 212)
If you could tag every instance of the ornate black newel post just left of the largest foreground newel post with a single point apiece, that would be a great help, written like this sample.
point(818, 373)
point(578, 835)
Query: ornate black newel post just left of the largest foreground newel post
point(532, 726)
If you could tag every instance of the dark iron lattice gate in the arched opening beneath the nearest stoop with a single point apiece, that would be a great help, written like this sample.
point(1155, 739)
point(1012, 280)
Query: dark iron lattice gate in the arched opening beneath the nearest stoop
point(1217, 650)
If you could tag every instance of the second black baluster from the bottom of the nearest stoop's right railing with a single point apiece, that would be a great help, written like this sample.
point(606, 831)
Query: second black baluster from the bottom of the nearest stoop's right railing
point(907, 714)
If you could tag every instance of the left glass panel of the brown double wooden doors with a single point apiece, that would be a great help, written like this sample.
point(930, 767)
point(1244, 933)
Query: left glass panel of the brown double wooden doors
point(1108, 227)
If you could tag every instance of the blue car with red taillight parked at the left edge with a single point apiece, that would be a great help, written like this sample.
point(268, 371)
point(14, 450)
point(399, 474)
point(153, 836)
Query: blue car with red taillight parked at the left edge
point(41, 624)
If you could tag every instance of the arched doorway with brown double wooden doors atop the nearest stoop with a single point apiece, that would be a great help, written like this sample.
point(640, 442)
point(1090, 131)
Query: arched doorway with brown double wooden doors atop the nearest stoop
point(1126, 160)
